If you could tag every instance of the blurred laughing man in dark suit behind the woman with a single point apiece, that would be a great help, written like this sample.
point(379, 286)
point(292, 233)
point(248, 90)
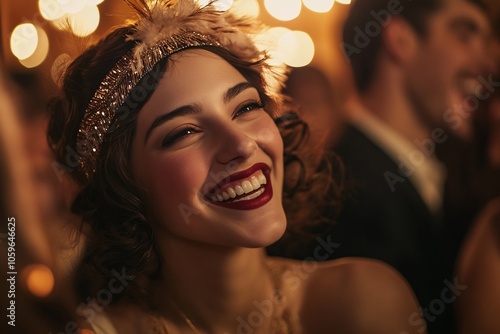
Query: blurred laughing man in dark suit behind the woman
point(413, 62)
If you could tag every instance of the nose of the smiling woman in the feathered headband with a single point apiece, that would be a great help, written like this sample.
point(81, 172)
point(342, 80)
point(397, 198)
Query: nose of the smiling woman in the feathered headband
point(234, 145)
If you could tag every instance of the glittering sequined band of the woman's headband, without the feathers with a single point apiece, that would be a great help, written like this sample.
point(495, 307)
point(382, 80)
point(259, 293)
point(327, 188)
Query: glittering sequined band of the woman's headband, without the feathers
point(116, 87)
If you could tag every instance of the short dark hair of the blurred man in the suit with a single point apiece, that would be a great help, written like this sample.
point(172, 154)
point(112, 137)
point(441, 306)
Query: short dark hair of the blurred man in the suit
point(361, 34)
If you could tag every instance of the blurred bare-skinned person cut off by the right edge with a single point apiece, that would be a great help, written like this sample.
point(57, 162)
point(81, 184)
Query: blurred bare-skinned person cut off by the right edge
point(478, 265)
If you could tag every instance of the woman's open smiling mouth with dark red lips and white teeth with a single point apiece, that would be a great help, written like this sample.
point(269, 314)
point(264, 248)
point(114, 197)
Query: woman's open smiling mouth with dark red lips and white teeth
point(245, 190)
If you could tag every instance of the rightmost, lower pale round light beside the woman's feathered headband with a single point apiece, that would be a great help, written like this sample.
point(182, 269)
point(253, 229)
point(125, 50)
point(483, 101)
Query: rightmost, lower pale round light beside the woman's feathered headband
point(296, 48)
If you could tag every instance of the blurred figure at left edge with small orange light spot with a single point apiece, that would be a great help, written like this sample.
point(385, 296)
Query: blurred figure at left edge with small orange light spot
point(37, 295)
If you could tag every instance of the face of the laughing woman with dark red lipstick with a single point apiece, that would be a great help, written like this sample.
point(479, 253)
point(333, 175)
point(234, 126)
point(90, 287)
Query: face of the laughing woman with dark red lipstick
point(209, 157)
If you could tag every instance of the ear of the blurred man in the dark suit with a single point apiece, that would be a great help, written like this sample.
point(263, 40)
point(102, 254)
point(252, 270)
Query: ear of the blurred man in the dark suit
point(399, 39)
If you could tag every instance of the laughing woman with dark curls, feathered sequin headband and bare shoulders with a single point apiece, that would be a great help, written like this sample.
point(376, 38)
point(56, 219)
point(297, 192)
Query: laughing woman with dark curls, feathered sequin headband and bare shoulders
point(182, 178)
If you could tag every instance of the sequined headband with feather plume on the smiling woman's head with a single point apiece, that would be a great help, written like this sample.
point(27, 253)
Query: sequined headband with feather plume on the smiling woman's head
point(163, 28)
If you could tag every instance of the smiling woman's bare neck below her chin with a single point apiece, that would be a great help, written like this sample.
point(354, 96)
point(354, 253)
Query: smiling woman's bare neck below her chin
point(212, 286)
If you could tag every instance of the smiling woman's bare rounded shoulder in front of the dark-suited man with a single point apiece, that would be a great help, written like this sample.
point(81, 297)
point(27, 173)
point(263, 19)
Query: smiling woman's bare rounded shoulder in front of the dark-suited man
point(354, 295)
